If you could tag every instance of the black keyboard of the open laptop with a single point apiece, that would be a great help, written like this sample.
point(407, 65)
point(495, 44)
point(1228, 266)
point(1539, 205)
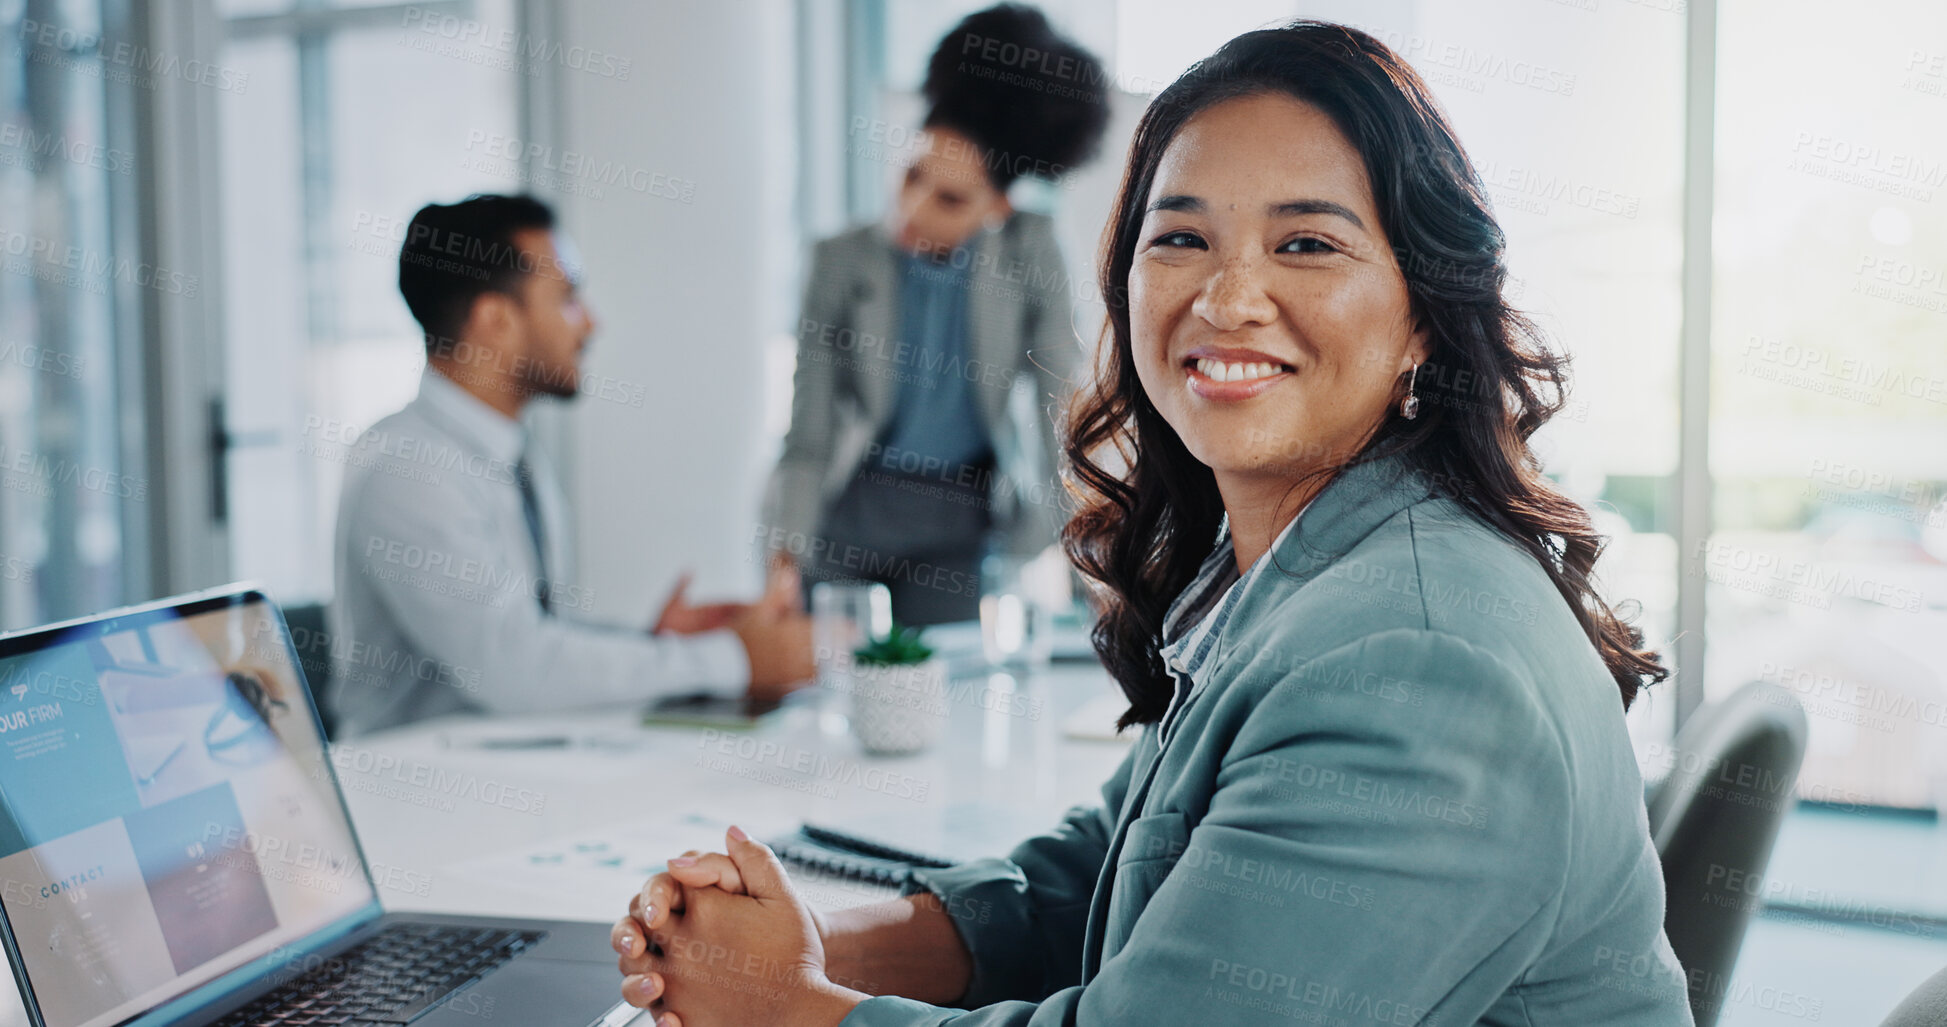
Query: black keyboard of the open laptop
point(390, 979)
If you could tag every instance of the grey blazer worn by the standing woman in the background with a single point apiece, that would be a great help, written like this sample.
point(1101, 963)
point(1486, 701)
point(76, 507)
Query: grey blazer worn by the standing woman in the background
point(852, 363)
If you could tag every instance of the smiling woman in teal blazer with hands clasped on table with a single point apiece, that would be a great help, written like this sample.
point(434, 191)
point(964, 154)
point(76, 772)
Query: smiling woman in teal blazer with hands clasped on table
point(1383, 773)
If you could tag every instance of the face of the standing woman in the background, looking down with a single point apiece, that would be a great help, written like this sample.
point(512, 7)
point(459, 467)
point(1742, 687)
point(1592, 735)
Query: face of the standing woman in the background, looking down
point(945, 196)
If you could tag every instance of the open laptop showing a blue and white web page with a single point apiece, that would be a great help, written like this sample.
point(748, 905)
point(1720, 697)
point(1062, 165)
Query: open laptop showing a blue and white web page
point(176, 849)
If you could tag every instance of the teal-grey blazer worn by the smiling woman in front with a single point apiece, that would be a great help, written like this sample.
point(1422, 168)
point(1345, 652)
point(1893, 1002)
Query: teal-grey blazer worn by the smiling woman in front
point(1401, 794)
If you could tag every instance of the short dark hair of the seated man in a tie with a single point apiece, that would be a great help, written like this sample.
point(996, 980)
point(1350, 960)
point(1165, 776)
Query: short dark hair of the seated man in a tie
point(462, 250)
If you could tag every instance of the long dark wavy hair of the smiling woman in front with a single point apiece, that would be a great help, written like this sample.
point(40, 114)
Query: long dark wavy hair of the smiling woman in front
point(1150, 512)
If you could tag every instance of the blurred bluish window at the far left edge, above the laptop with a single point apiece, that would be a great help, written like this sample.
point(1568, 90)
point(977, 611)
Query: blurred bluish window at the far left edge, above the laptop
point(73, 484)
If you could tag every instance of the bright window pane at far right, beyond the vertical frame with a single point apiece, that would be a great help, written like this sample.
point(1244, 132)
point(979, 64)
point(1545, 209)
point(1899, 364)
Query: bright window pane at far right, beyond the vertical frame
point(1829, 410)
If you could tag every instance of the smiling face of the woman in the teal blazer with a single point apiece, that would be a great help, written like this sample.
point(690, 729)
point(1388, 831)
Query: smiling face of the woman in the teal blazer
point(1268, 315)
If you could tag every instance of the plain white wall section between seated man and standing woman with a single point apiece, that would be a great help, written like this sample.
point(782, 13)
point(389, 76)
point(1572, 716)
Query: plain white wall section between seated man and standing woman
point(686, 293)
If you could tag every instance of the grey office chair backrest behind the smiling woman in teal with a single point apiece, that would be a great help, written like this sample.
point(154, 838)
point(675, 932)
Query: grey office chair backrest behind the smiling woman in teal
point(1714, 821)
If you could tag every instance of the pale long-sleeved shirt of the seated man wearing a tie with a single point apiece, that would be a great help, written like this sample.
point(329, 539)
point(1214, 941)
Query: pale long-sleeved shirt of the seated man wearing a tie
point(435, 607)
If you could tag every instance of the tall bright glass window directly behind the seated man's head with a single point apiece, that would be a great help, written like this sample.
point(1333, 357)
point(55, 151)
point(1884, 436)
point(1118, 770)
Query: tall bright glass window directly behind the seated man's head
point(357, 116)
